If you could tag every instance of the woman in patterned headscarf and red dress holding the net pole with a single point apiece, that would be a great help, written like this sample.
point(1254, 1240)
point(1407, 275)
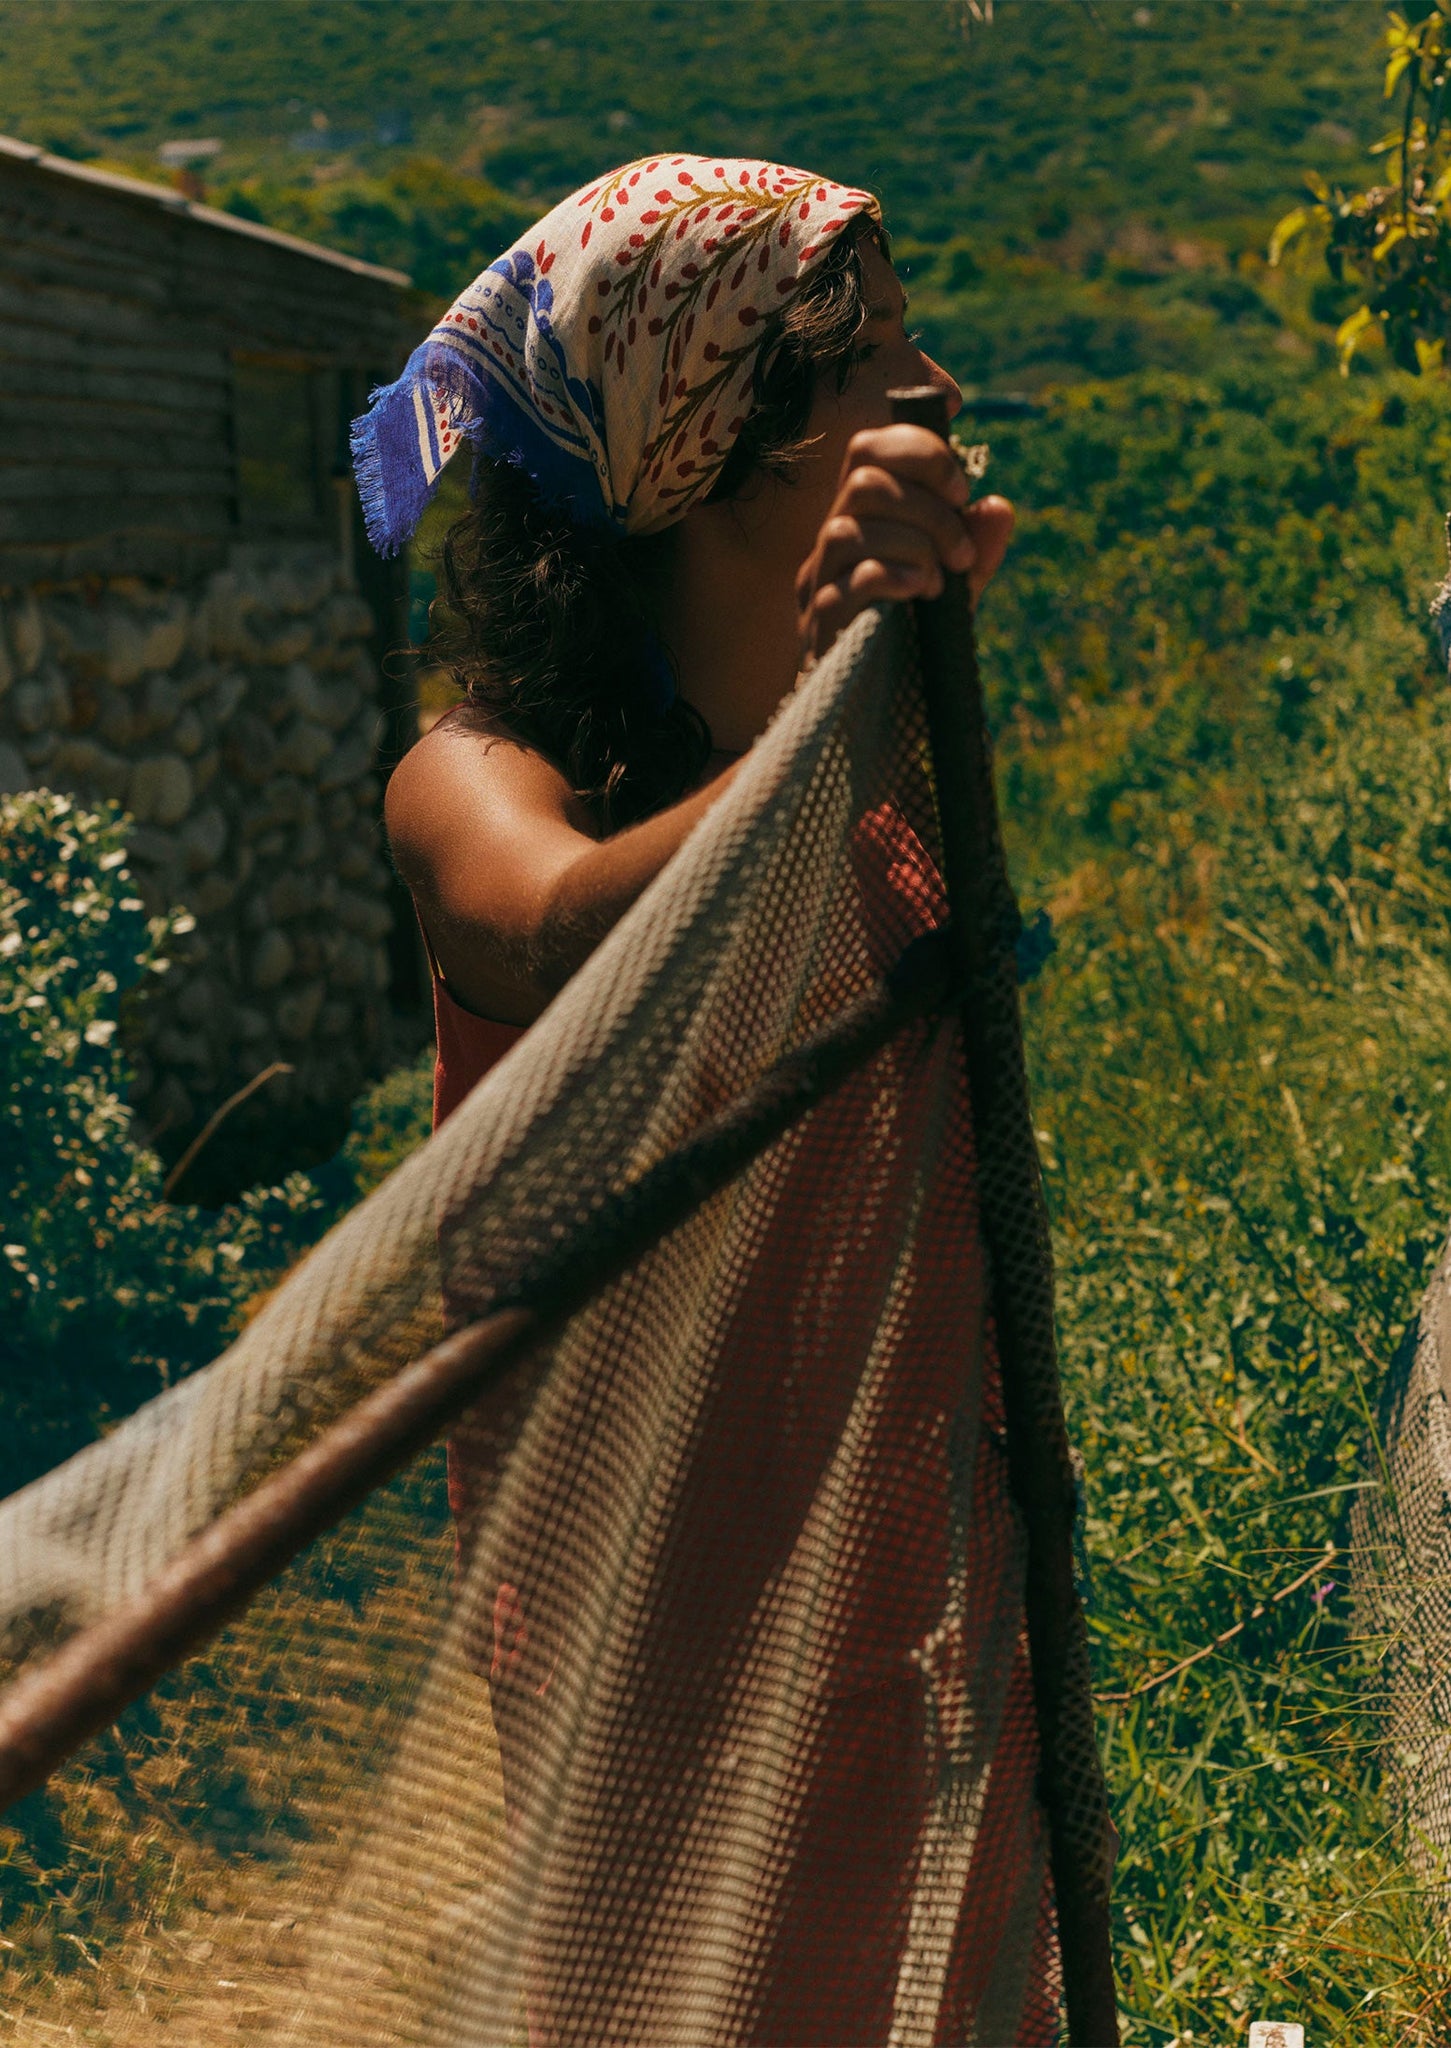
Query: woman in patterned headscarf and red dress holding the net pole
point(686, 488)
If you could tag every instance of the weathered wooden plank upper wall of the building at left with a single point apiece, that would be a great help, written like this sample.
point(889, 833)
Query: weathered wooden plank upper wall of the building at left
point(120, 318)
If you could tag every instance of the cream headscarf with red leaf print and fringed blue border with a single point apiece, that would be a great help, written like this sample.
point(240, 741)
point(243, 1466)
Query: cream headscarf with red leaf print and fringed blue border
point(612, 351)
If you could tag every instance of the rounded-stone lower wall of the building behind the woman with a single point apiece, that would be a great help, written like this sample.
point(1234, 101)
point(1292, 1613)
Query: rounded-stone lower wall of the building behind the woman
point(237, 722)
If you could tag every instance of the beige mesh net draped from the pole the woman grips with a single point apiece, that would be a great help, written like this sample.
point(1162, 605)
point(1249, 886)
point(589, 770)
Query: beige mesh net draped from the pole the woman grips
point(706, 1719)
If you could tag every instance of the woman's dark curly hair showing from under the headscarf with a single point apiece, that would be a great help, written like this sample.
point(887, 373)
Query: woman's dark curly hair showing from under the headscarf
point(550, 628)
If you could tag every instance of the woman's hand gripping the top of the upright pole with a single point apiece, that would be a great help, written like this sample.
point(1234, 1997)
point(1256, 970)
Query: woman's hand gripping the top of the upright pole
point(899, 523)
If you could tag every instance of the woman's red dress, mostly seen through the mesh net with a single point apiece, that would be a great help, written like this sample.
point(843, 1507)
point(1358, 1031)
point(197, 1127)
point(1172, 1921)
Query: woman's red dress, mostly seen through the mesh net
point(765, 1439)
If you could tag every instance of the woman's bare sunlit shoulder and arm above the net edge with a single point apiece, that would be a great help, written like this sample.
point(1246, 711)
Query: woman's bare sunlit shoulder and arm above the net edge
point(507, 871)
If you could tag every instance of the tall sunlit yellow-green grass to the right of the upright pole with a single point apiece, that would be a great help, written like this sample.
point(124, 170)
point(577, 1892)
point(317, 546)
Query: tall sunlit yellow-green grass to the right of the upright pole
point(1241, 1072)
